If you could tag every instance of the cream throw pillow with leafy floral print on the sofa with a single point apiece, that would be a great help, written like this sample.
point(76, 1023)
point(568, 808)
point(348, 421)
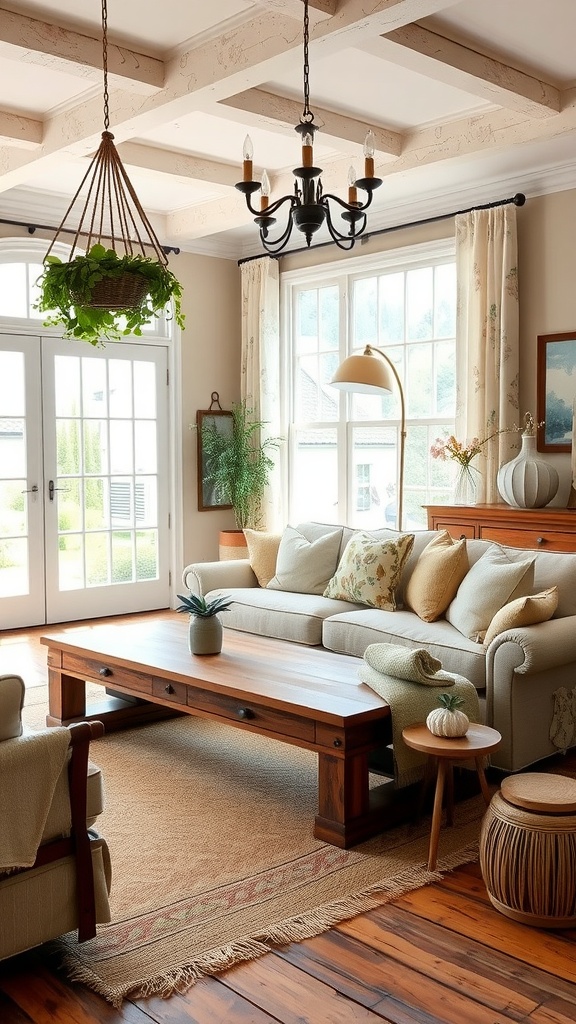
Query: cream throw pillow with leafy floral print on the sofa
point(369, 571)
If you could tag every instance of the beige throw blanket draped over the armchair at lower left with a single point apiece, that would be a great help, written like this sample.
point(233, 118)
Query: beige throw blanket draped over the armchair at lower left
point(30, 769)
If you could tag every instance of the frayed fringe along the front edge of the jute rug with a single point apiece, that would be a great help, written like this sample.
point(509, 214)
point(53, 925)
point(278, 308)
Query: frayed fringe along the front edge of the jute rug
point(182, 978)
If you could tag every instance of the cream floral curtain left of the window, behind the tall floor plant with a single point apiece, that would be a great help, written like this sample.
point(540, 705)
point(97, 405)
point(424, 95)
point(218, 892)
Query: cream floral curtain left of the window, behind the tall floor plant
point(261, 368)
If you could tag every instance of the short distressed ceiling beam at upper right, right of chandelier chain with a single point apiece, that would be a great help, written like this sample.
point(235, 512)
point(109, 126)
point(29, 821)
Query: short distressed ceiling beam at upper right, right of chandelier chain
point(474, 72)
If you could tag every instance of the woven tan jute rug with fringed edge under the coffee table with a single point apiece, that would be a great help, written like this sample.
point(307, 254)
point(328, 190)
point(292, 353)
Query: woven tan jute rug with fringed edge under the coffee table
point(214, 858)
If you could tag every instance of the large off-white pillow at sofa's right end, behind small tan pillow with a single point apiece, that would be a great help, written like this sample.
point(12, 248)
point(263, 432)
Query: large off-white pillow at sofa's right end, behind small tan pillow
point(487, 587)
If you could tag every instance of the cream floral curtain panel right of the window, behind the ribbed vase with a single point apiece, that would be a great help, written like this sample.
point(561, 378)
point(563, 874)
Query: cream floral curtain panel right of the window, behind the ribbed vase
point(487, 337)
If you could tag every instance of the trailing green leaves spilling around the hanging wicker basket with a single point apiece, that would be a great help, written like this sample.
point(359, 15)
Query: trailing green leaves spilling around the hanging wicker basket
point(67, 288)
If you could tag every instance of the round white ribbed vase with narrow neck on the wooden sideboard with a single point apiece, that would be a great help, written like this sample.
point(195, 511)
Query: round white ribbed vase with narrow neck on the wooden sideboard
point(528, 482)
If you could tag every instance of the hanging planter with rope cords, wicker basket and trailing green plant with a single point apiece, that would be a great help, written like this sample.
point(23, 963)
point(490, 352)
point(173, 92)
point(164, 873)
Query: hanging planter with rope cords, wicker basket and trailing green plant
point(122, 281)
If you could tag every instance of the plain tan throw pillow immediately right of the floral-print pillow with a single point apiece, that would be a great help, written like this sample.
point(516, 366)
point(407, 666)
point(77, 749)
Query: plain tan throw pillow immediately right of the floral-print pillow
point(437, 576)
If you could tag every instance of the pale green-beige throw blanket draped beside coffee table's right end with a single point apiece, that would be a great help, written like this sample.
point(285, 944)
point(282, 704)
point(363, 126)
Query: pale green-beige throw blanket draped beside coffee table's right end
point(412, 700)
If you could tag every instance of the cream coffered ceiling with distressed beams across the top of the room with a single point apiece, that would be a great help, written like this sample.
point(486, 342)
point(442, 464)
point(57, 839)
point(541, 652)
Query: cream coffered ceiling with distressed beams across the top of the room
point(470, 102)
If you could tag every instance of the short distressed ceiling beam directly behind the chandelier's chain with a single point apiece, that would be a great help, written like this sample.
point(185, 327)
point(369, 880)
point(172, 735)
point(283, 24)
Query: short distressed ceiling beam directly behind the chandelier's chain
point(335, 129)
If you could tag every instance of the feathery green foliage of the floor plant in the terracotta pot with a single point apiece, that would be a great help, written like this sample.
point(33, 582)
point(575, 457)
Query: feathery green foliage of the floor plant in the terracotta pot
point(238, 465)
